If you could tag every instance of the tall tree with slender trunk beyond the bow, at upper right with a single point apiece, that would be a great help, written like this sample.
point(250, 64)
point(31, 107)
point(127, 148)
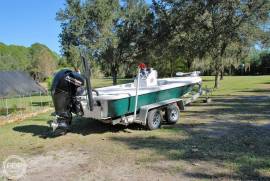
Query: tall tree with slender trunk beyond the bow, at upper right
point(229, 22)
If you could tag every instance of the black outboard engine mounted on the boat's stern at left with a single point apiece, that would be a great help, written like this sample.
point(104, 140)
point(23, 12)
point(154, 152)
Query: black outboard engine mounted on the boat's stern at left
point(65, 85)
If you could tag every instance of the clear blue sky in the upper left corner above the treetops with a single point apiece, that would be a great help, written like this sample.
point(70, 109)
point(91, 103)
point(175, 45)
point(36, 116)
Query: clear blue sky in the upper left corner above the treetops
point(24, 22)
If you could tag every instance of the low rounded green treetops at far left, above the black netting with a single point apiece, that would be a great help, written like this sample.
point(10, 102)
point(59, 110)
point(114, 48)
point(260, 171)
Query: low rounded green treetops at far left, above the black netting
point(38, 60)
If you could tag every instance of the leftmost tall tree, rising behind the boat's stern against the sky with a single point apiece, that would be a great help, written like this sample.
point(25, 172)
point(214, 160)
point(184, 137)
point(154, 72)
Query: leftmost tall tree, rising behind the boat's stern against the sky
point(89, 24)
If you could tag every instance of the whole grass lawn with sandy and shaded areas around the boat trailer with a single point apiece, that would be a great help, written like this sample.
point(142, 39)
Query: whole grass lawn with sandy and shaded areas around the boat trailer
point(227, 139)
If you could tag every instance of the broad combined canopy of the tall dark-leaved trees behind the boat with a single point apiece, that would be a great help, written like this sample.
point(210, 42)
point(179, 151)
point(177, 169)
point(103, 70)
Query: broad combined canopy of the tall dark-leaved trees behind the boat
point(168, 34)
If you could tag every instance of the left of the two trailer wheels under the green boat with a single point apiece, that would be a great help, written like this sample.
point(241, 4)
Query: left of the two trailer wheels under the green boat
point(154, 119)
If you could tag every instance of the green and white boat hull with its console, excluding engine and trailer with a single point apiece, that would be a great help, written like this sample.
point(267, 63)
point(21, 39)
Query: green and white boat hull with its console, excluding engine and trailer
point(119, 100)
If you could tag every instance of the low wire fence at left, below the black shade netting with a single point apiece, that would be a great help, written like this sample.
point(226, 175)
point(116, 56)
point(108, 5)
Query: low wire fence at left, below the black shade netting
point(25, 103)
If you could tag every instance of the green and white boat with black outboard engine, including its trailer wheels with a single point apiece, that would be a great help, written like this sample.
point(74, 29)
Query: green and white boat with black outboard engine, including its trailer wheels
point(147, 100)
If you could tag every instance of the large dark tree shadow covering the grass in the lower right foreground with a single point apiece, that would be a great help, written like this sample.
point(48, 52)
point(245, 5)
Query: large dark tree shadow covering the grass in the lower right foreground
point(244, 145)
